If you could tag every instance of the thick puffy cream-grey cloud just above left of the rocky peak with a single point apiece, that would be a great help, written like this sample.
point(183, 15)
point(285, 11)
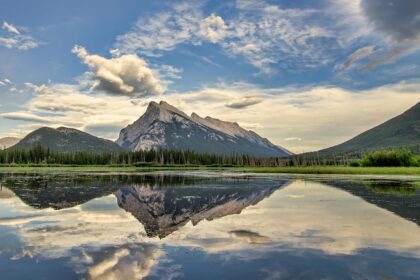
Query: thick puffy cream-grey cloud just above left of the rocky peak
point(124, 75)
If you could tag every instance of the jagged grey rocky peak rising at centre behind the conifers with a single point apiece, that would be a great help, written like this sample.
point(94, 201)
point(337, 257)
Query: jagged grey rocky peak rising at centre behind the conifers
point(164, 126)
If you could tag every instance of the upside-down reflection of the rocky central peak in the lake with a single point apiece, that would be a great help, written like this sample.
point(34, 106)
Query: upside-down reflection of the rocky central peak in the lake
point(164, 210)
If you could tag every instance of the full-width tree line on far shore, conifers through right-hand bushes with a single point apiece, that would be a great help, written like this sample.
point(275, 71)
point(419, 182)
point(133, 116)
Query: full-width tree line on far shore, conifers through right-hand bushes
point(41, 155)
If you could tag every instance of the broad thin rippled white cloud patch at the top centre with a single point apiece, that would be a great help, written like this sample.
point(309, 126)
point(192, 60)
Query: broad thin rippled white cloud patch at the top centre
point(263, 34)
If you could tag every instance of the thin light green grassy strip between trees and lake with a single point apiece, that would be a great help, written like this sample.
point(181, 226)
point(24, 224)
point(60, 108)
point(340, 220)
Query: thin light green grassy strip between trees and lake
point(286, 170)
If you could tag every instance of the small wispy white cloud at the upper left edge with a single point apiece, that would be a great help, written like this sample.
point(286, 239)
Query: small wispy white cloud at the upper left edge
point(15, 39)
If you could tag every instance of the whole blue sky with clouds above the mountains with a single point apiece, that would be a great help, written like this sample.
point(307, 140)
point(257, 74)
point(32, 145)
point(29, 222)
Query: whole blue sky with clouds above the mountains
point(305, 74)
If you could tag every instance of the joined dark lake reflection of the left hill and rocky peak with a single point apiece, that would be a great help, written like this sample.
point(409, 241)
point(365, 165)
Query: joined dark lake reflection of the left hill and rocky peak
point(161, 203)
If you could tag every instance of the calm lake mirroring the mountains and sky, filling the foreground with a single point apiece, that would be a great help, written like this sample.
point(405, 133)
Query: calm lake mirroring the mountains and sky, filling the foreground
point(199, 225)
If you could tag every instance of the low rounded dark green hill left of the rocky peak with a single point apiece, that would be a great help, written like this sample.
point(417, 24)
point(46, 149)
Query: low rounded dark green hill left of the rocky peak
point(65, 139)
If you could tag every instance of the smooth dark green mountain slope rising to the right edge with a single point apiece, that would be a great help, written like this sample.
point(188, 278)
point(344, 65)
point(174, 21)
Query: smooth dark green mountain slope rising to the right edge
point(402, 131)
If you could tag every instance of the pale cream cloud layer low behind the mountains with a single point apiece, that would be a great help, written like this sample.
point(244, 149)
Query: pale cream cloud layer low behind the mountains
point(285, 115)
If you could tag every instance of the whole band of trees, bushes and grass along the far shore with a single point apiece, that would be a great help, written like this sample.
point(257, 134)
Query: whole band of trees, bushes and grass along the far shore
point(41, 159)
